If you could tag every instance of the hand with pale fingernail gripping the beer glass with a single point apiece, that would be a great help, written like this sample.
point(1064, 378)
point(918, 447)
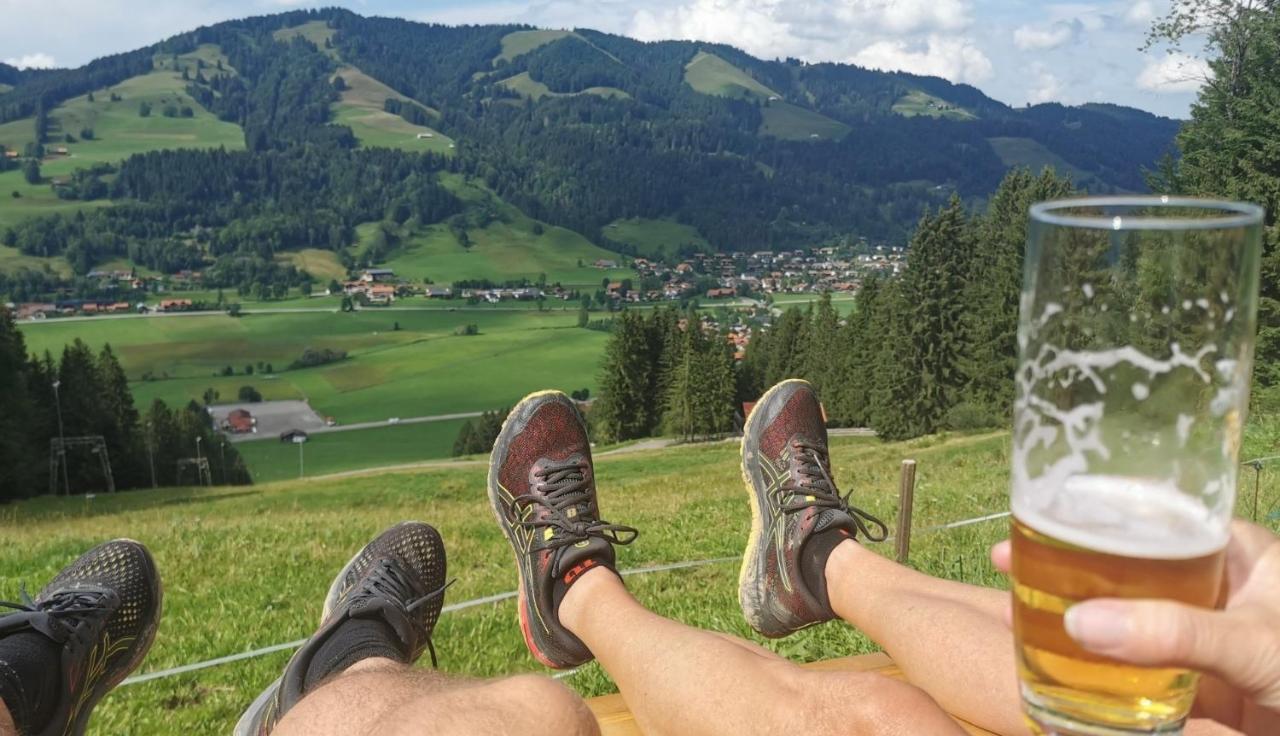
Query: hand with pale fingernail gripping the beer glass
point(1238, 646)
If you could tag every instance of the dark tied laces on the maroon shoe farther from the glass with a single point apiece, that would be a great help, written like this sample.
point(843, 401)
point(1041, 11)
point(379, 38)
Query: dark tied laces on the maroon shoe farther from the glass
point(564, 487)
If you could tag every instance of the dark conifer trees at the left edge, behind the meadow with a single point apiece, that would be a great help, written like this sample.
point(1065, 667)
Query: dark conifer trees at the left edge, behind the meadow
point(92, 395)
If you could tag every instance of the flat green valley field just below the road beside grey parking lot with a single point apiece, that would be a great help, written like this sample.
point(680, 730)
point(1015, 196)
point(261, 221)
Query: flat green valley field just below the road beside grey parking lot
point(358, 450)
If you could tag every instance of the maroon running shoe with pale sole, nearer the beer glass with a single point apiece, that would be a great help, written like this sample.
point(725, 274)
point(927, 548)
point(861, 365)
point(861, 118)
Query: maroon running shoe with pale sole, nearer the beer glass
point(798, 515)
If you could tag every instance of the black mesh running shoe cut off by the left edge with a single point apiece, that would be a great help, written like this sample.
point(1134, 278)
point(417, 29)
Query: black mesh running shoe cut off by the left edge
point(103, 611)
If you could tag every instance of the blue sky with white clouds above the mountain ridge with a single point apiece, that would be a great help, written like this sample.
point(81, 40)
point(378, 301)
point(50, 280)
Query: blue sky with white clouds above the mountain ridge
point(1014, 51)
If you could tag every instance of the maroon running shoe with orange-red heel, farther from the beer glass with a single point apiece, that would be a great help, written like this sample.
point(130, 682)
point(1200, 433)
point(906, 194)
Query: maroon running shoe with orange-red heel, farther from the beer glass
point(542, 488)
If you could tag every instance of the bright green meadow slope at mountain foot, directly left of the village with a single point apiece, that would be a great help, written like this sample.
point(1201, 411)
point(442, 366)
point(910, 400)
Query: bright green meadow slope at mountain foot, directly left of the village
point(508, 249)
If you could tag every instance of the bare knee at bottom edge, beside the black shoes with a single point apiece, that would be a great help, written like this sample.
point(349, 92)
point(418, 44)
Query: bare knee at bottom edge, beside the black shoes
point(385, 698)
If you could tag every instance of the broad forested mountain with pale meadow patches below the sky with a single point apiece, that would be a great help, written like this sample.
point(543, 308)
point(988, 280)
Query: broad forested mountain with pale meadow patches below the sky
point(348, 120)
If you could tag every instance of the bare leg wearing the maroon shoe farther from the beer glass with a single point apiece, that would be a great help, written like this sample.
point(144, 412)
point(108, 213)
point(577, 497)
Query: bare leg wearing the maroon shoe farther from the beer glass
point(685, 682)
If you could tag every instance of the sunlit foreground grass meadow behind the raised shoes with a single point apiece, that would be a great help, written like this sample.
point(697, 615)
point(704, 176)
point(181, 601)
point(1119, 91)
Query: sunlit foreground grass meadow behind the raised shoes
point(246, 568)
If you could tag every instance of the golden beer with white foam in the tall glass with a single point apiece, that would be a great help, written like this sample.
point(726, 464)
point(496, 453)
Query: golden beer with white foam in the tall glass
point(1067, 689)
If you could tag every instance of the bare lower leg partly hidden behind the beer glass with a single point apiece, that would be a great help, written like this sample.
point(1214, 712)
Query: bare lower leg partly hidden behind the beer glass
point(949, 638)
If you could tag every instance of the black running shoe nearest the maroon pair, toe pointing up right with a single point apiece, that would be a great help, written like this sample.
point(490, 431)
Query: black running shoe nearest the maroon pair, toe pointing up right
point(399, 580)
